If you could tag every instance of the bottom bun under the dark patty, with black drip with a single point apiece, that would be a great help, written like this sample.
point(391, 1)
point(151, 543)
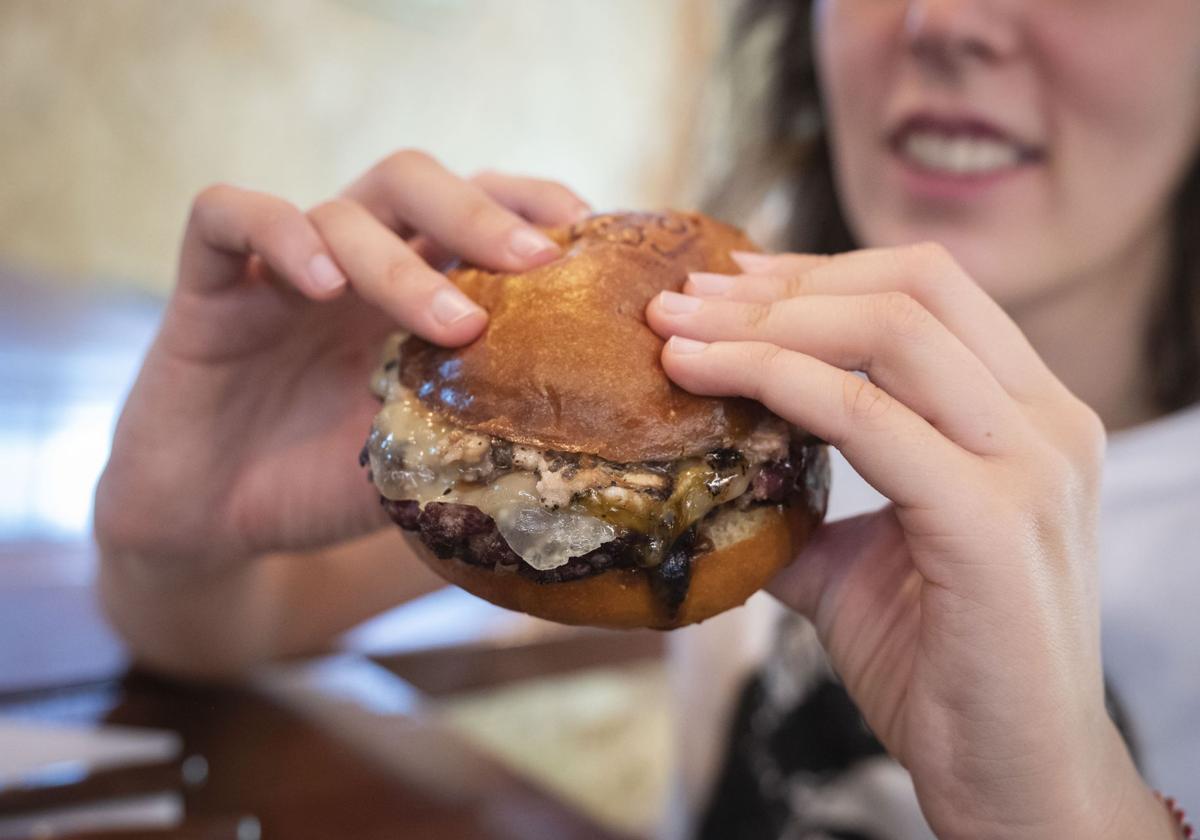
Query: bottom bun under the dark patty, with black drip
point(749, 548)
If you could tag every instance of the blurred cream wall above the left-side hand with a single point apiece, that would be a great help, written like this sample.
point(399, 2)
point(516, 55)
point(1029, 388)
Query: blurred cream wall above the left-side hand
point(116, 112)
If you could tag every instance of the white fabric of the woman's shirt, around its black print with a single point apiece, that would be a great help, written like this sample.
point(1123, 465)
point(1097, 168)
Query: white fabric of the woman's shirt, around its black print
point(1150, 584)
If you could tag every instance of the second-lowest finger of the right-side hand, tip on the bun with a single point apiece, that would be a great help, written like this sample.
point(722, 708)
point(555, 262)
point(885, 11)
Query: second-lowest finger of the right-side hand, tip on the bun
point(892, 338)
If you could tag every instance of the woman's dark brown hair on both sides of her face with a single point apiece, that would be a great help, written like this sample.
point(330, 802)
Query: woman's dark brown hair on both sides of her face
point(784, 148)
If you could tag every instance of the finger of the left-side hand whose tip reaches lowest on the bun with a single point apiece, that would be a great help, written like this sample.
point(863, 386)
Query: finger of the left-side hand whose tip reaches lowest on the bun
point(386, 272)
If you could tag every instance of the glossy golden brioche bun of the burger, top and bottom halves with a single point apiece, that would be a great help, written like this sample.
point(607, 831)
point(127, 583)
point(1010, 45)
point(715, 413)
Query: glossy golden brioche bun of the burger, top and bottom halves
point(568, 363)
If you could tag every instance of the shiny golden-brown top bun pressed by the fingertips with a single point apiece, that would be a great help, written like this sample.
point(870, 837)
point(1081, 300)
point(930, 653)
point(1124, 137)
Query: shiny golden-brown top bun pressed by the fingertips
point(568, 362)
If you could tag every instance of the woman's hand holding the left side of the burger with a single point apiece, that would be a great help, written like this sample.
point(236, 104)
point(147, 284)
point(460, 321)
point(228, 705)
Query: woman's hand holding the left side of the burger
point(242, 433)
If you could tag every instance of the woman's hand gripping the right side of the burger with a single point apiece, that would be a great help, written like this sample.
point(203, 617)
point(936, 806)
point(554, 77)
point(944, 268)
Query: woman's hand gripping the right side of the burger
point(964, 617)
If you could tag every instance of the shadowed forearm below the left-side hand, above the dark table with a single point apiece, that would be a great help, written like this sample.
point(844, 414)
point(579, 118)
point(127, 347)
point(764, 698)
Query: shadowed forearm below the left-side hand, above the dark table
point(221, 625)
